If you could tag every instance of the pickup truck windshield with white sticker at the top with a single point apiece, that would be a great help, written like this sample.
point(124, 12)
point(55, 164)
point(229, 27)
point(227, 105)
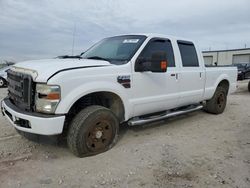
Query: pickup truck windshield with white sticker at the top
point(117, 50)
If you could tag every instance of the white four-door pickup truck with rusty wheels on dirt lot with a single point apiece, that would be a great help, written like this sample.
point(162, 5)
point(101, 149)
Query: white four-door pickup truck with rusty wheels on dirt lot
point(130, 78)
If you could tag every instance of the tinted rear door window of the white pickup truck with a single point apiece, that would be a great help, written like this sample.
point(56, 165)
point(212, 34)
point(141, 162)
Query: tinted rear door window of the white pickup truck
point(188, 54)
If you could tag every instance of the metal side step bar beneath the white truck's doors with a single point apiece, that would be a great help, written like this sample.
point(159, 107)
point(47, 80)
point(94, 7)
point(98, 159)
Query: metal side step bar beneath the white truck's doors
point(138, 121)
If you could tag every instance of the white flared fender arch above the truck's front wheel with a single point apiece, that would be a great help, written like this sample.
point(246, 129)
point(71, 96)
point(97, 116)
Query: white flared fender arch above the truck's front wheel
point(70, 97)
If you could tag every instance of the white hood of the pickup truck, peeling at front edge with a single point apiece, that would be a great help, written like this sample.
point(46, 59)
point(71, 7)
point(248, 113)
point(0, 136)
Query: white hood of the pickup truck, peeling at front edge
point(42, 70)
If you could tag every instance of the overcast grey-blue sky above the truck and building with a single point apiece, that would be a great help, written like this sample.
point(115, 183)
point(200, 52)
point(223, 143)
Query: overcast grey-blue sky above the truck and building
point(32, 29)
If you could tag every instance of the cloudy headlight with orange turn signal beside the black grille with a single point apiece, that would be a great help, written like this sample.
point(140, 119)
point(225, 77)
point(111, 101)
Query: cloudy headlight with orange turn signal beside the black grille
point(47, 98)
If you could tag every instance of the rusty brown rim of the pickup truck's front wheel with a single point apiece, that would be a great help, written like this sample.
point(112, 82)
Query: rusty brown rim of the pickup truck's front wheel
point(99, 136)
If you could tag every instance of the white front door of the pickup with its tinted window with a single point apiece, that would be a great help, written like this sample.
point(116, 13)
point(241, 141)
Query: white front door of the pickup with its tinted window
point(155, 92)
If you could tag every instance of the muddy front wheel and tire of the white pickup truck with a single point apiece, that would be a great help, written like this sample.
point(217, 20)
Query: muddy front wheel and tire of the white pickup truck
point(92, 131)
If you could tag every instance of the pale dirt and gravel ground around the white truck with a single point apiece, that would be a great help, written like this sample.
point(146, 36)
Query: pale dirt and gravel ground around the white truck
point(194, 150)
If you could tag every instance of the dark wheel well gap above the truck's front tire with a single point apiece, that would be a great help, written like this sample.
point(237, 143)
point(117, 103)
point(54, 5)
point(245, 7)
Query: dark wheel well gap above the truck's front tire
point(106, 99)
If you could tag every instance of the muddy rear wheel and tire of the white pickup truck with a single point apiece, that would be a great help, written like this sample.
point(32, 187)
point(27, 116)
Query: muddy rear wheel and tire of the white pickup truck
point(217, 104)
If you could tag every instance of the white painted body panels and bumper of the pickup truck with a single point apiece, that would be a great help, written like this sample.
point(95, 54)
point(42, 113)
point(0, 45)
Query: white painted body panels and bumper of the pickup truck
point(149, 92)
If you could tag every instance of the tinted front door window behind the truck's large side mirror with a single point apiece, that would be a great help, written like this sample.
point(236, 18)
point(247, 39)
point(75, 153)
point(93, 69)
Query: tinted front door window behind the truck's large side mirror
point(159, 45)
